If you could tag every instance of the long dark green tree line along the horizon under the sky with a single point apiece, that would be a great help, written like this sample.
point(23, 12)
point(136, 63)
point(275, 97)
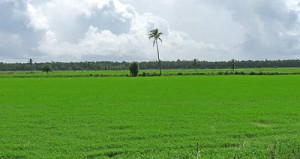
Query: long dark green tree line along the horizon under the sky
point(179, 64)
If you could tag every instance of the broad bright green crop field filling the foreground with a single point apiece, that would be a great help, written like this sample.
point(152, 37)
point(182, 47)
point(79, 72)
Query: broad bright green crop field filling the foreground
point(151, 117)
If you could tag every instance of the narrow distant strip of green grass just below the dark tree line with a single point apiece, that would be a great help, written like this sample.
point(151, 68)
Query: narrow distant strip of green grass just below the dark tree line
point(39, 74)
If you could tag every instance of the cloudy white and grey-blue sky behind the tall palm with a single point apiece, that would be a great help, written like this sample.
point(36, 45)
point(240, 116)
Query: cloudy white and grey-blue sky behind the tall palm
point(117, 30)
